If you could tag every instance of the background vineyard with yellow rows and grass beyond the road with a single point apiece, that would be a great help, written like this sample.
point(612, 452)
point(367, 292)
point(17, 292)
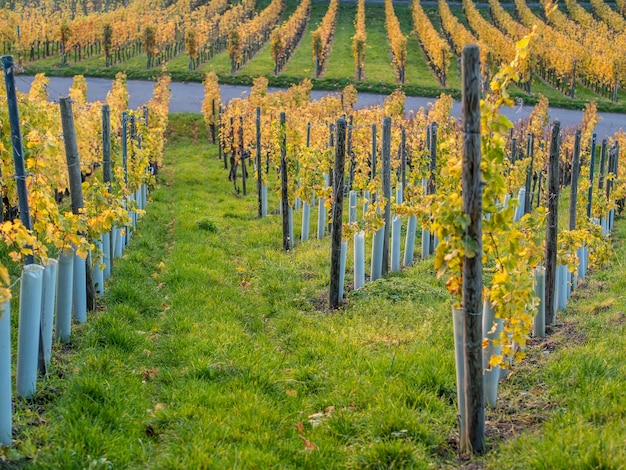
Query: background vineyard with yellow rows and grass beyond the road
point(236, 40)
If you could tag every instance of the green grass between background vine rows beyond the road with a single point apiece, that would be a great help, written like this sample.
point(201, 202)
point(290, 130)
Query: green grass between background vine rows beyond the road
point(379, 74)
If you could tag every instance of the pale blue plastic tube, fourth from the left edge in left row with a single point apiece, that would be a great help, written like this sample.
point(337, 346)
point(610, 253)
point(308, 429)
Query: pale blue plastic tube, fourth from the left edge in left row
point(65, 286)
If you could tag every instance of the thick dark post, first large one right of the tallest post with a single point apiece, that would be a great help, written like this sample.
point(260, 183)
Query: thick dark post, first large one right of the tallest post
point(552, 223)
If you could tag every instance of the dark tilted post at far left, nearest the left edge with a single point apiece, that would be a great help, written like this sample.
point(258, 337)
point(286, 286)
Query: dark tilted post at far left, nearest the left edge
point(18, 150)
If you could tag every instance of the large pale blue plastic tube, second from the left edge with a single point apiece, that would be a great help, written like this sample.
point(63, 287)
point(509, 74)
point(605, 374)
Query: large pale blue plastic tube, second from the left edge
point(28, 334)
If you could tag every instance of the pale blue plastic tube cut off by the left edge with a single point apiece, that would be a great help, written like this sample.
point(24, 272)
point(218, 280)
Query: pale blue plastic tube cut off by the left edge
point(6, 408)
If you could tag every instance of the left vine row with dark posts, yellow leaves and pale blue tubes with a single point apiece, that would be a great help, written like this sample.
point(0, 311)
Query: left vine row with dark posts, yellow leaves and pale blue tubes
point(58, 291)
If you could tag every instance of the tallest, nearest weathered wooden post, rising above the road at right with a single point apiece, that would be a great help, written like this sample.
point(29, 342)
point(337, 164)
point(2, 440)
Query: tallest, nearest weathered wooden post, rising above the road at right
point(472, 266)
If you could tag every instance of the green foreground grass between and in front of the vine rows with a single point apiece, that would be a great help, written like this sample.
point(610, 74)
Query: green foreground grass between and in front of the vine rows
point(212, 358)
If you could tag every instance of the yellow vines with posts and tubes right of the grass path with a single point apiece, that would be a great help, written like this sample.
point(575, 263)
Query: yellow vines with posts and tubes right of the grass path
point(437, 179)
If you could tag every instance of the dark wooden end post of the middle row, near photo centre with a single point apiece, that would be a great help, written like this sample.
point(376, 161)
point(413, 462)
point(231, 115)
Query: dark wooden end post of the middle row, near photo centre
point(336, 234)
